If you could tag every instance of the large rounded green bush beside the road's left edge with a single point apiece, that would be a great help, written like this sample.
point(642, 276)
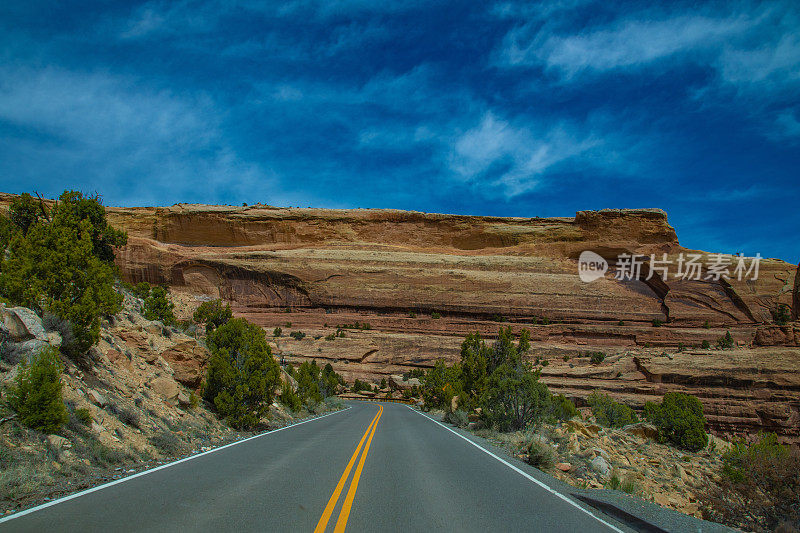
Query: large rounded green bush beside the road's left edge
point(242, 374)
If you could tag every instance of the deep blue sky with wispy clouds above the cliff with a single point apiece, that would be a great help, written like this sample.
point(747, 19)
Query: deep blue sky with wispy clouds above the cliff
point(518, 109)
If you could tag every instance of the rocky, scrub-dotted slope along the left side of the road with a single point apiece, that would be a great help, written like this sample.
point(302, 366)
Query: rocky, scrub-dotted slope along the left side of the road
point(132, 404)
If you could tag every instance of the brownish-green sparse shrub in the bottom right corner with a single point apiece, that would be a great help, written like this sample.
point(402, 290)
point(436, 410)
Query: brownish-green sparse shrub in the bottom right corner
point(759, 486)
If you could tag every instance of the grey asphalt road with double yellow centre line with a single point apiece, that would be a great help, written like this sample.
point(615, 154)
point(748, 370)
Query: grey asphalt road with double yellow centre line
point(373, 467)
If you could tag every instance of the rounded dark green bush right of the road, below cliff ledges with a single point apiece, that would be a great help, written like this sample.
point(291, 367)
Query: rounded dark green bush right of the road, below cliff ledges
point(680, 420)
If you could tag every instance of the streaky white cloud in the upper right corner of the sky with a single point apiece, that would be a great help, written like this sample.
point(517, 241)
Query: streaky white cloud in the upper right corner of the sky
point(753, 50)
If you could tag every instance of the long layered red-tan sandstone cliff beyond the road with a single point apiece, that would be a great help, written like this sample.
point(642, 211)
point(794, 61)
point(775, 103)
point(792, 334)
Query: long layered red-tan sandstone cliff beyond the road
point(421, 282)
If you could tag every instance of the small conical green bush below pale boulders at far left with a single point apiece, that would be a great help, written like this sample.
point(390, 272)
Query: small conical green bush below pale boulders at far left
point(36, 393)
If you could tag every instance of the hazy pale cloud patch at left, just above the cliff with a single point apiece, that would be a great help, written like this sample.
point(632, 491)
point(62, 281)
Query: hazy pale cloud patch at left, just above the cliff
point(96, 129)
